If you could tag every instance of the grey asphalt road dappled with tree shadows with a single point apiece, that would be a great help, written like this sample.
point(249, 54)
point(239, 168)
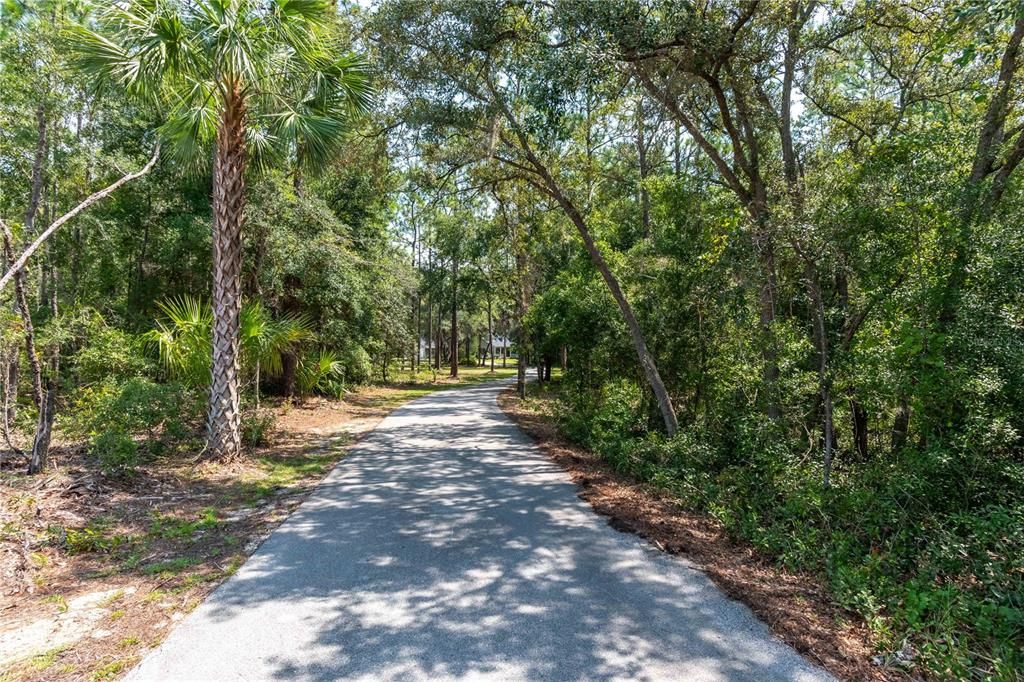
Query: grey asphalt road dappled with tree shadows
point(446, 546)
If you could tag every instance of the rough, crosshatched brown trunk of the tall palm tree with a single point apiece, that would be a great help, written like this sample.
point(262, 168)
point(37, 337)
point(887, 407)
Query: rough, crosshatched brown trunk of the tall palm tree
point(224, 421)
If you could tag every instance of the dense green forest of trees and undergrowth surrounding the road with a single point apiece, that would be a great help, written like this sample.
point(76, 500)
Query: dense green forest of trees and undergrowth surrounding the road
point(774, 247)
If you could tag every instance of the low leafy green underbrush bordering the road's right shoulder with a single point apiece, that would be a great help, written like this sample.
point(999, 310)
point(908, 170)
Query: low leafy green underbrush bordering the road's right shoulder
point(927, 546)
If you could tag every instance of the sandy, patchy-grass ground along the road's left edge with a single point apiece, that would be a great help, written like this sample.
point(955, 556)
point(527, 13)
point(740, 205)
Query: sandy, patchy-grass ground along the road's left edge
point(96, 571)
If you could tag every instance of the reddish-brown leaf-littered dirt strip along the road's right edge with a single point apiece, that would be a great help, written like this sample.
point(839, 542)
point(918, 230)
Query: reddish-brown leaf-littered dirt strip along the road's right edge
point(795, 608)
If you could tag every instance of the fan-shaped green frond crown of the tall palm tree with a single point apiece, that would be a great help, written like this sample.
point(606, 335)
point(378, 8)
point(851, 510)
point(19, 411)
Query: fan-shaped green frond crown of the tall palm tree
point(202, 58)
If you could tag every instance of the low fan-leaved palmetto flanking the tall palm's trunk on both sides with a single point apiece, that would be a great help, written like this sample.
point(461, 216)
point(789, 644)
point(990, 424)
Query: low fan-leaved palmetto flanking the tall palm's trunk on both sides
point(183, 338)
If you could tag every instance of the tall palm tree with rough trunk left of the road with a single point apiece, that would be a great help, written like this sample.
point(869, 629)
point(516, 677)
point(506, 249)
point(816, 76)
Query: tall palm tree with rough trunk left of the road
point(252, 78)
